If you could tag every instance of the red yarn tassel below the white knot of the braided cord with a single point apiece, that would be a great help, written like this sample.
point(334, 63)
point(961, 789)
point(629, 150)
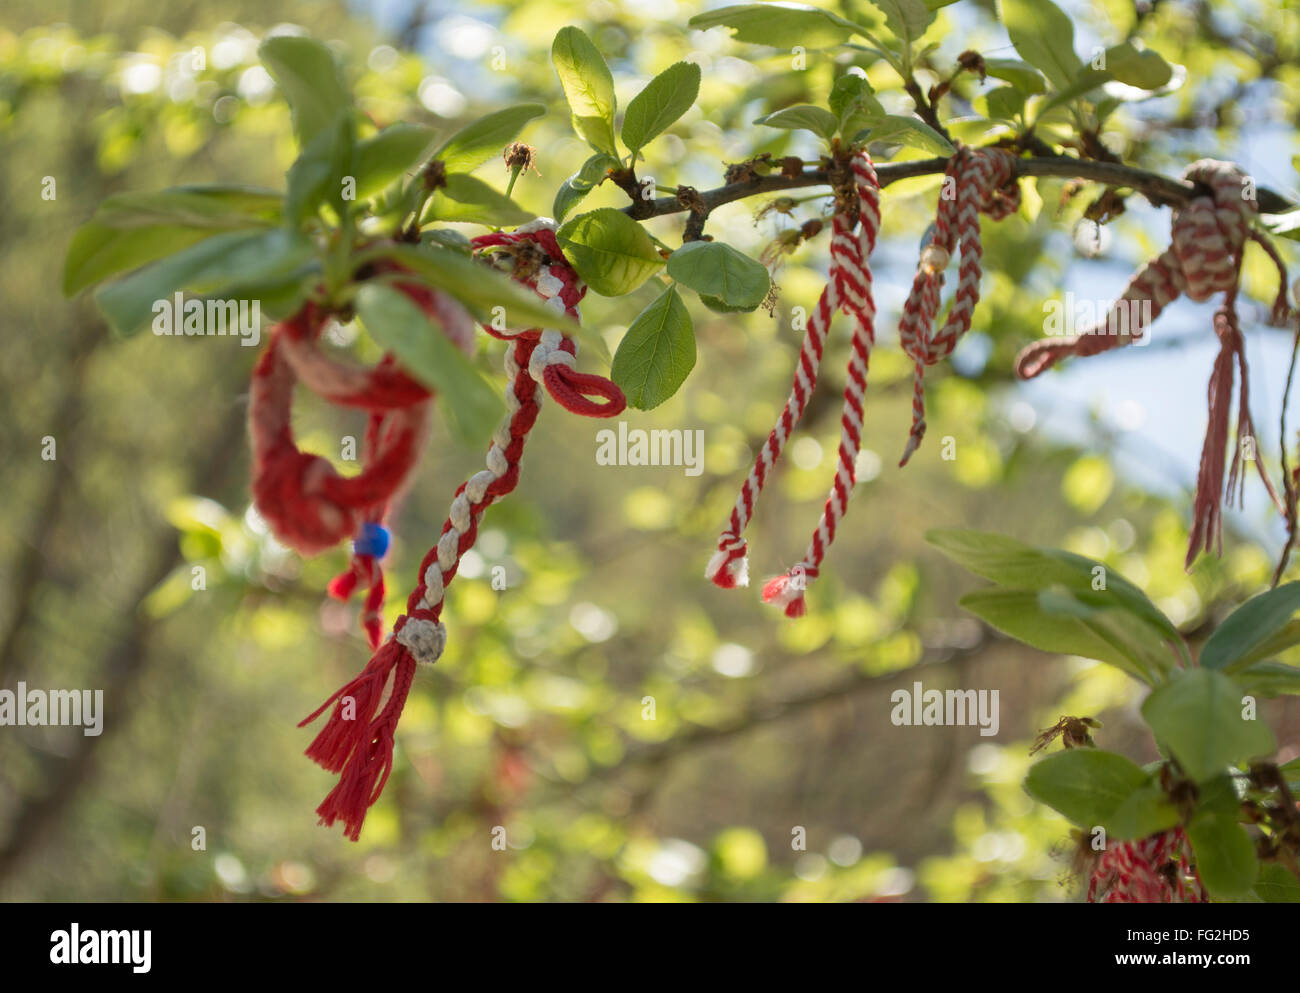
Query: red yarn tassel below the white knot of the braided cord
point(356, 743)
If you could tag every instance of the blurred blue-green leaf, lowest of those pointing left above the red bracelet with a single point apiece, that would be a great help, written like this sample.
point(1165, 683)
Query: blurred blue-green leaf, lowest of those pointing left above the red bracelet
point(218, 262)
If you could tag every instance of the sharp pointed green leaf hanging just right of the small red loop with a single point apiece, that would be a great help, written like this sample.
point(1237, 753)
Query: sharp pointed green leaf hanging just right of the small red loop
point(657, 354)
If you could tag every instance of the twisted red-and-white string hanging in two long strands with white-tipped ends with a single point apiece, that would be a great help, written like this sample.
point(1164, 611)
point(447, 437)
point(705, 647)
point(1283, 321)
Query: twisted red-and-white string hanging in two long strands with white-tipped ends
point(848, 289)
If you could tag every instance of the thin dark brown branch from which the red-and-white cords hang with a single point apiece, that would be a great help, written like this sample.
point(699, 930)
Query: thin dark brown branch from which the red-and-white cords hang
point(1162, 190)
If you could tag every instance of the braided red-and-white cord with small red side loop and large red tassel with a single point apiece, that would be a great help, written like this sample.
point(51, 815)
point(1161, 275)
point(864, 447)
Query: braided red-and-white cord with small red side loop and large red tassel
point(358, 738)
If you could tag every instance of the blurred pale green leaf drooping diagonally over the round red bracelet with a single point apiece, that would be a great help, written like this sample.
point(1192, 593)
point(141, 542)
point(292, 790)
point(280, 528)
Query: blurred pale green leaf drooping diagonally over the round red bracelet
point(465, 397)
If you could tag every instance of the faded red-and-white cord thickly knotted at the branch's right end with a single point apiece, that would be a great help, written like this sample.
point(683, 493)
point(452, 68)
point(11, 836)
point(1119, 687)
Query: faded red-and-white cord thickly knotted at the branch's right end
point(1204, 258)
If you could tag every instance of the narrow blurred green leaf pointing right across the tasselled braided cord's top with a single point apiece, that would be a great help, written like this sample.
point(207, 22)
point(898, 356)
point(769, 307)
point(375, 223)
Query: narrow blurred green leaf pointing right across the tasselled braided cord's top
point(482, 289)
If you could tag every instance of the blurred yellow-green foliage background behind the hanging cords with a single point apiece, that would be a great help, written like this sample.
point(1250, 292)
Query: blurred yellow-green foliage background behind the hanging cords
point(770, 769)
